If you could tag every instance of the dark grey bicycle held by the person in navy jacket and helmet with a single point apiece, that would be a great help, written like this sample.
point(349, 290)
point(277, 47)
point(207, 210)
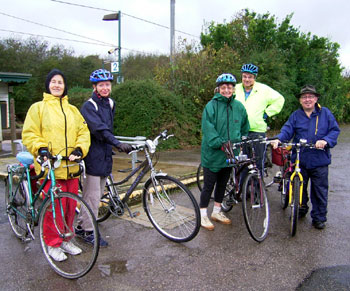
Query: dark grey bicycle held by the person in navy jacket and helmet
point(169, 204)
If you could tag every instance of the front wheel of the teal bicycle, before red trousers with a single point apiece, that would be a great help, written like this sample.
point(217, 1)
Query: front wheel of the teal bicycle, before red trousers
point(75, 266)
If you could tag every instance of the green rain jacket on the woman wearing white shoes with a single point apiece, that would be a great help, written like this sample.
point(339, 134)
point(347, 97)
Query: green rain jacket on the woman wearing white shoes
point(223, 119)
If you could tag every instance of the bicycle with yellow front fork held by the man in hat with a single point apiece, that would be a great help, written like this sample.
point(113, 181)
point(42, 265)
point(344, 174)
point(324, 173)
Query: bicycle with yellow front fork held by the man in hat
point(291, 182)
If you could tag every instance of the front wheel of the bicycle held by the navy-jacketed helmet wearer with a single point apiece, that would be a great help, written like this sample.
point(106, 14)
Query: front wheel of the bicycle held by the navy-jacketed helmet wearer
point(171, 208)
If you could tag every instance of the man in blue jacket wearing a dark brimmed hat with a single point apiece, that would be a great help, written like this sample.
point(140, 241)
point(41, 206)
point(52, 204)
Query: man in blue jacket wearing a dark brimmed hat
point(317, 125)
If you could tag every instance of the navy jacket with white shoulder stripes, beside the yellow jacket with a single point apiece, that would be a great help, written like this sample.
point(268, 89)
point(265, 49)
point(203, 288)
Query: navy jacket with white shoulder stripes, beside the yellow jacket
point(99, 160)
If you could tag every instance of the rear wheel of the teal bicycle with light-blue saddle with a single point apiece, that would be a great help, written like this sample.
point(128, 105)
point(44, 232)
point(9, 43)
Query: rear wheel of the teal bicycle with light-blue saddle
point(17, 206)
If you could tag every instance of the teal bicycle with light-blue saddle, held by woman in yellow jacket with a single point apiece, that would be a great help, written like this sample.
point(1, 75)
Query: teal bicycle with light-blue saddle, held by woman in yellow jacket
point(26, 209)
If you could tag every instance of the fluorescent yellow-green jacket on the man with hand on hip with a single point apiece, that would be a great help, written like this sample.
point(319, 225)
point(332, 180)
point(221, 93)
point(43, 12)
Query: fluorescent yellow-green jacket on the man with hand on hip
point(262, 99)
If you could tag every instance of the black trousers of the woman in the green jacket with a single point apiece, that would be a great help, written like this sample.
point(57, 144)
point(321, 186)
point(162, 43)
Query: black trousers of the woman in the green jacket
point(211, 179)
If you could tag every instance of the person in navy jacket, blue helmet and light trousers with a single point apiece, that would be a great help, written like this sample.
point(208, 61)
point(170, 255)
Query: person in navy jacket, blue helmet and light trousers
point(98, 111)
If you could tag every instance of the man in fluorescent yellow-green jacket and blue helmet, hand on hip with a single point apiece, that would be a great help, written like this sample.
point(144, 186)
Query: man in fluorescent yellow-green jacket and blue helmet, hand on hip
point(260, 101)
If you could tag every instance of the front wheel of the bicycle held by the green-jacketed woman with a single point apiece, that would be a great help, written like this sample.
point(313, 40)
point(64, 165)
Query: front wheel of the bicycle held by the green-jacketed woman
point(255, 207)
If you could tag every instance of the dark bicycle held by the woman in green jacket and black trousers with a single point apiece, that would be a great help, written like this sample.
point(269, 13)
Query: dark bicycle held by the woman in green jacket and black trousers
point(253, 194)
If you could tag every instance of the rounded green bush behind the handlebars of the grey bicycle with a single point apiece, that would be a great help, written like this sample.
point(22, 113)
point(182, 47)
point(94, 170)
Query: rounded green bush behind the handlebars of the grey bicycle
point(144, 108)
